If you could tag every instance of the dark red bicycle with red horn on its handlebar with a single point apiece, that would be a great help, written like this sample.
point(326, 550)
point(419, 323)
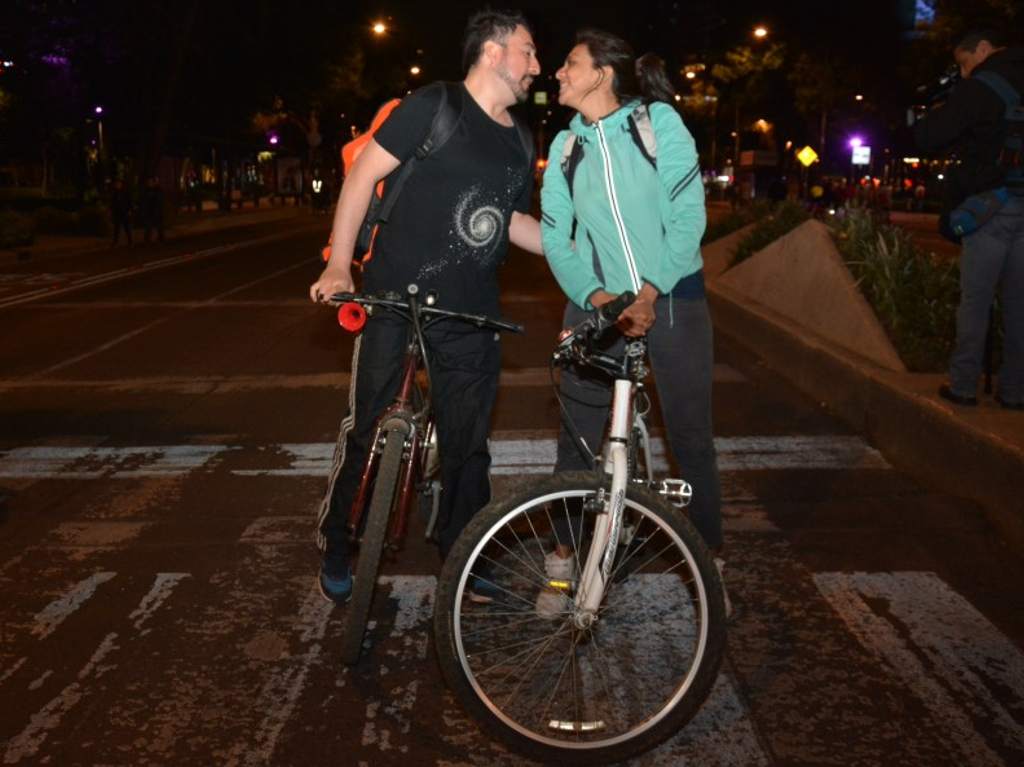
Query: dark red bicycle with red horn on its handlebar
point(403, 460)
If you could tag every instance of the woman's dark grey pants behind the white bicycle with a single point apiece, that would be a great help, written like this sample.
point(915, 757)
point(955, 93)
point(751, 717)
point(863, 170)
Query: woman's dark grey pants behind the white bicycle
point(680, 347)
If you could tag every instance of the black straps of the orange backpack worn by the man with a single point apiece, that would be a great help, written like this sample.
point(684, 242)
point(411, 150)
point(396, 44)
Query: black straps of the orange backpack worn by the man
point(444, 125)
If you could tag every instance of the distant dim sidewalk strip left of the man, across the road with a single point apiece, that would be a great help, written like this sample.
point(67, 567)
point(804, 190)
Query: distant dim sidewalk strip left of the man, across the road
point(190, 224)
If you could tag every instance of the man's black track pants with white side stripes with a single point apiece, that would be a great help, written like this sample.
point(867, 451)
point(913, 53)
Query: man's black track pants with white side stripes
point(464, 369)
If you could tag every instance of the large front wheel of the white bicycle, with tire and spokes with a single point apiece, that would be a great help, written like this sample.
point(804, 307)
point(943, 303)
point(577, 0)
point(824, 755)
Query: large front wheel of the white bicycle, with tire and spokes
point(462, 631)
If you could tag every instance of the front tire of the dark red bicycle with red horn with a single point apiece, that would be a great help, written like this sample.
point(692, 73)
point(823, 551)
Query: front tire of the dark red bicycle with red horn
point(372, 546)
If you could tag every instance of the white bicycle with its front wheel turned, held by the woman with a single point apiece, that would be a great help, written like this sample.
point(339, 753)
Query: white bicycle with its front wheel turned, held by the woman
point(638, 636)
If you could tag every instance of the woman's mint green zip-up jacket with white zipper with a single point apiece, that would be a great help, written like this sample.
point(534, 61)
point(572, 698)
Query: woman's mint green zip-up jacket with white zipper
point(635, 224)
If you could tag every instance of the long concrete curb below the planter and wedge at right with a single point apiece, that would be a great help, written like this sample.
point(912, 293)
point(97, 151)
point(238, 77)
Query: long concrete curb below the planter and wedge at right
point(897, 411)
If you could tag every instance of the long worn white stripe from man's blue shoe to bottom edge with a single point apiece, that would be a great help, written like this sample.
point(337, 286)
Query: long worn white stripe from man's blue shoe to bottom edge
point(281, 692)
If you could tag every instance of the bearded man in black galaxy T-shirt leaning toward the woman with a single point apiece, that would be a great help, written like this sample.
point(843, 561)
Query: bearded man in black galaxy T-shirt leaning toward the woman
point(449, 232)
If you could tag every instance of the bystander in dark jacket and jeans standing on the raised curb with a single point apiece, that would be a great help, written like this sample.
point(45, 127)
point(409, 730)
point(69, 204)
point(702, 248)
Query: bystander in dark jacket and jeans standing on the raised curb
point(974, 121)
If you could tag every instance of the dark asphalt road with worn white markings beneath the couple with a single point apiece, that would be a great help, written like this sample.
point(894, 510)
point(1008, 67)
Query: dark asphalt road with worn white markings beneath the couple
point(165, 439)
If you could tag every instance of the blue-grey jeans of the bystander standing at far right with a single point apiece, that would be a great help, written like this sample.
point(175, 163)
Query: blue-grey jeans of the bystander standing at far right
point(993, 259)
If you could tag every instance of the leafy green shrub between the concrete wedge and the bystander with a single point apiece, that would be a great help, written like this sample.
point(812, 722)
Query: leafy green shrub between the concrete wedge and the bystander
point(914, 294)
